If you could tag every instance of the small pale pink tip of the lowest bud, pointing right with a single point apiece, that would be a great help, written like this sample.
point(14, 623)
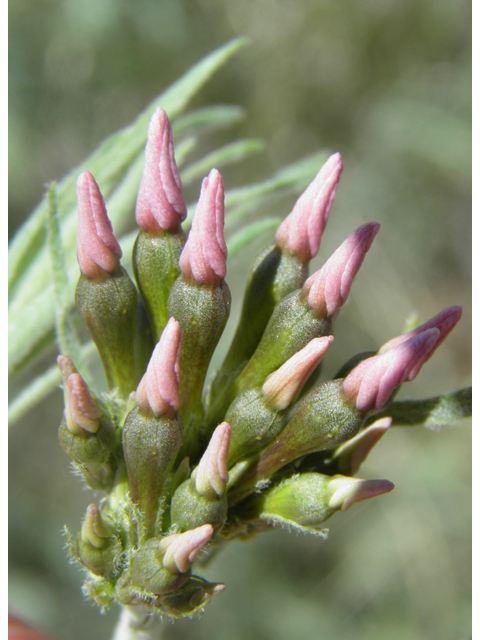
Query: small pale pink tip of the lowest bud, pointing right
point(181, 549)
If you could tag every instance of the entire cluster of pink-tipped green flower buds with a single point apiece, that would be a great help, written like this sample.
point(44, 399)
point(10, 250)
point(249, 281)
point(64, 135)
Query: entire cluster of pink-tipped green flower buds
point(185, 466)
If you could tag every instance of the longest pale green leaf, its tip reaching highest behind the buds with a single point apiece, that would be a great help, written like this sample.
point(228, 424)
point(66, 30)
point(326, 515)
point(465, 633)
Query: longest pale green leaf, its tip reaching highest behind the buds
point(31, 313)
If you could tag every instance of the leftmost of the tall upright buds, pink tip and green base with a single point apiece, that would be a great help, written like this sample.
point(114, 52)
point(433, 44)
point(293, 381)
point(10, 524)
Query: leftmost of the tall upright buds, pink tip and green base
point(105, 296)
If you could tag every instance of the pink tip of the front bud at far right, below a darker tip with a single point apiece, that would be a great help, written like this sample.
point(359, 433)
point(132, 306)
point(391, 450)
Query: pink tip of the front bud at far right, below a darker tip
point(370, 384)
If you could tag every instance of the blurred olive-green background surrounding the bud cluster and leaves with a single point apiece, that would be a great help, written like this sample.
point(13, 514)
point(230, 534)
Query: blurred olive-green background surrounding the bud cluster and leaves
point(388, 84)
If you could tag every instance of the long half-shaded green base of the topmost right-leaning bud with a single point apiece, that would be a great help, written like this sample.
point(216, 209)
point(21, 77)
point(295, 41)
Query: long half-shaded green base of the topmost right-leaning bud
point(272, 276)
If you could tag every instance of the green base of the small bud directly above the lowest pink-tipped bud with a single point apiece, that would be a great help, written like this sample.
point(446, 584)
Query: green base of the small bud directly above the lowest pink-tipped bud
point(190, 510)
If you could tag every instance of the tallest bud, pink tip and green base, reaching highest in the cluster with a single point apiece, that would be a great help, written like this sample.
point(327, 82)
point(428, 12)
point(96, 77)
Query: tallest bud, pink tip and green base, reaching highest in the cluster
point(160, 210)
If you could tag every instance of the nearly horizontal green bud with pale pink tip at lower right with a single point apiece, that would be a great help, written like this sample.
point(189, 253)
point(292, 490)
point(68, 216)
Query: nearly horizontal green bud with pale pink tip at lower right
point(308, 499)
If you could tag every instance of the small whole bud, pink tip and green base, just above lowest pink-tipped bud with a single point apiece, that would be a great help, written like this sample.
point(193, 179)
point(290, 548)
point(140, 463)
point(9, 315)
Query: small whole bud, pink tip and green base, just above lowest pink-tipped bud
point(201, 499)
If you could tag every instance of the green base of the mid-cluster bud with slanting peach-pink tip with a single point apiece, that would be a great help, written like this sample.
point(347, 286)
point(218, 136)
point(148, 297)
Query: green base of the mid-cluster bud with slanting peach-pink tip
point(254, 424)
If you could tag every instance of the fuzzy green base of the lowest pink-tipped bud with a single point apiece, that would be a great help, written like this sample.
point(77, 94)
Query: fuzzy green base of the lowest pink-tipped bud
point(146, 577)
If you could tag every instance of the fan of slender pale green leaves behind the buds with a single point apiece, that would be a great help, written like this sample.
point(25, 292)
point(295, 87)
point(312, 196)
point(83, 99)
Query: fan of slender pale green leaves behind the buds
point(36, 305)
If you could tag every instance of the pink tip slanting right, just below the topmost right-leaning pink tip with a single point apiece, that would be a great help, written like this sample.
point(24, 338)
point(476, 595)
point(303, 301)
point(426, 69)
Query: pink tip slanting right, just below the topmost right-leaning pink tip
point(328, 288)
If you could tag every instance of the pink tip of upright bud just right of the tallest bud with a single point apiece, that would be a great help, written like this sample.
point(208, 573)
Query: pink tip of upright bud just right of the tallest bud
point(204, 256)
